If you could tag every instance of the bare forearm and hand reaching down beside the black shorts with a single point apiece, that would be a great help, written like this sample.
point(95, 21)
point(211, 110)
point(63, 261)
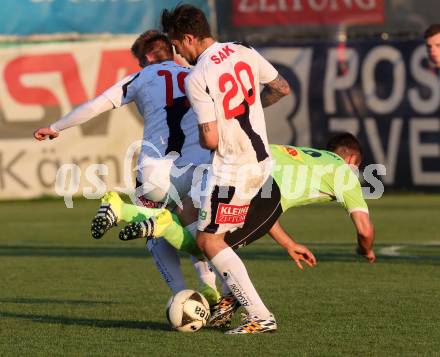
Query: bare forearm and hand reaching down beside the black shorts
point(296, 251)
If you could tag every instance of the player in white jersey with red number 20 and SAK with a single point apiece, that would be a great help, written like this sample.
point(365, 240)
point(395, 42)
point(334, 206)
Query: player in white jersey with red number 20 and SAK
point(224, 90)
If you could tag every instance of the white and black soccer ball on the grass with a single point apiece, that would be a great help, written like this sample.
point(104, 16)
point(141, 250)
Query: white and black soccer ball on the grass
point(187, 311)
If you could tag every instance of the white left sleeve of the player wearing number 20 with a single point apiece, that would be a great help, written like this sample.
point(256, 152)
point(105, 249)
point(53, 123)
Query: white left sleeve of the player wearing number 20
point(201, 102)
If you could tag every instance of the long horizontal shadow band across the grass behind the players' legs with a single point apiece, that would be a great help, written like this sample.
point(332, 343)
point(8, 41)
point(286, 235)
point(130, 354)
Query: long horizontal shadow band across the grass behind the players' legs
point(329, 252)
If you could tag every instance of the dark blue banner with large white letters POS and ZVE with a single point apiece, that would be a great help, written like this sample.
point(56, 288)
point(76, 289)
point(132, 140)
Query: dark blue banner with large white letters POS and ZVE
point(384, 92)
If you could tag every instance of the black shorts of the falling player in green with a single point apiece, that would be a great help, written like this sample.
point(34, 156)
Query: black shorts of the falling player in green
point(262, 214)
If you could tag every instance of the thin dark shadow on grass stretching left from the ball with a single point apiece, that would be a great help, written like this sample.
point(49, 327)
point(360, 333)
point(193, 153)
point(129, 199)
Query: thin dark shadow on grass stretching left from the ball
point(67, 320)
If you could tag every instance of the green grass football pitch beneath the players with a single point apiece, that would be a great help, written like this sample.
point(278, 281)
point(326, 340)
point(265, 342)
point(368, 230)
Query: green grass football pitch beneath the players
point(63, 293)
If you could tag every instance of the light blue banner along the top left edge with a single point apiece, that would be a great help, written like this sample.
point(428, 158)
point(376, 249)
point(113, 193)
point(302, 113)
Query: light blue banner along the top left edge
point(28, 17)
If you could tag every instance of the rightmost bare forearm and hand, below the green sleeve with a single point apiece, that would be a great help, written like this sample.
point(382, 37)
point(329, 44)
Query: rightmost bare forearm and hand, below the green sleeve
point(365, 235)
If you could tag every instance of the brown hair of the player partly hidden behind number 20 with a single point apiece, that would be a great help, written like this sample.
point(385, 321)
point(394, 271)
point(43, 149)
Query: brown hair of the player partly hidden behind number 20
point(152, 42)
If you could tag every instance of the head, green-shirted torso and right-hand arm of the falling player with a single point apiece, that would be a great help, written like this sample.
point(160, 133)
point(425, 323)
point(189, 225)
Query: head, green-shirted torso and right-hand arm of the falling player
point(326, 175)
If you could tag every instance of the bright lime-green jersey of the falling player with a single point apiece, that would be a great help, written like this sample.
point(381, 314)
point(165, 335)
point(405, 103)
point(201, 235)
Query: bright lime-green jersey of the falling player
point(305, 175)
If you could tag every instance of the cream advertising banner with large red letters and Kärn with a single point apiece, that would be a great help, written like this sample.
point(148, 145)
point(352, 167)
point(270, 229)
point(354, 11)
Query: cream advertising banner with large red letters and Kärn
point(41, 82)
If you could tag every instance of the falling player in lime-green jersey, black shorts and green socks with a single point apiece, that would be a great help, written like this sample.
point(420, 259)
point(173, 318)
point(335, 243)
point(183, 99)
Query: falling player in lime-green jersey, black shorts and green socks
point(301, 176)
